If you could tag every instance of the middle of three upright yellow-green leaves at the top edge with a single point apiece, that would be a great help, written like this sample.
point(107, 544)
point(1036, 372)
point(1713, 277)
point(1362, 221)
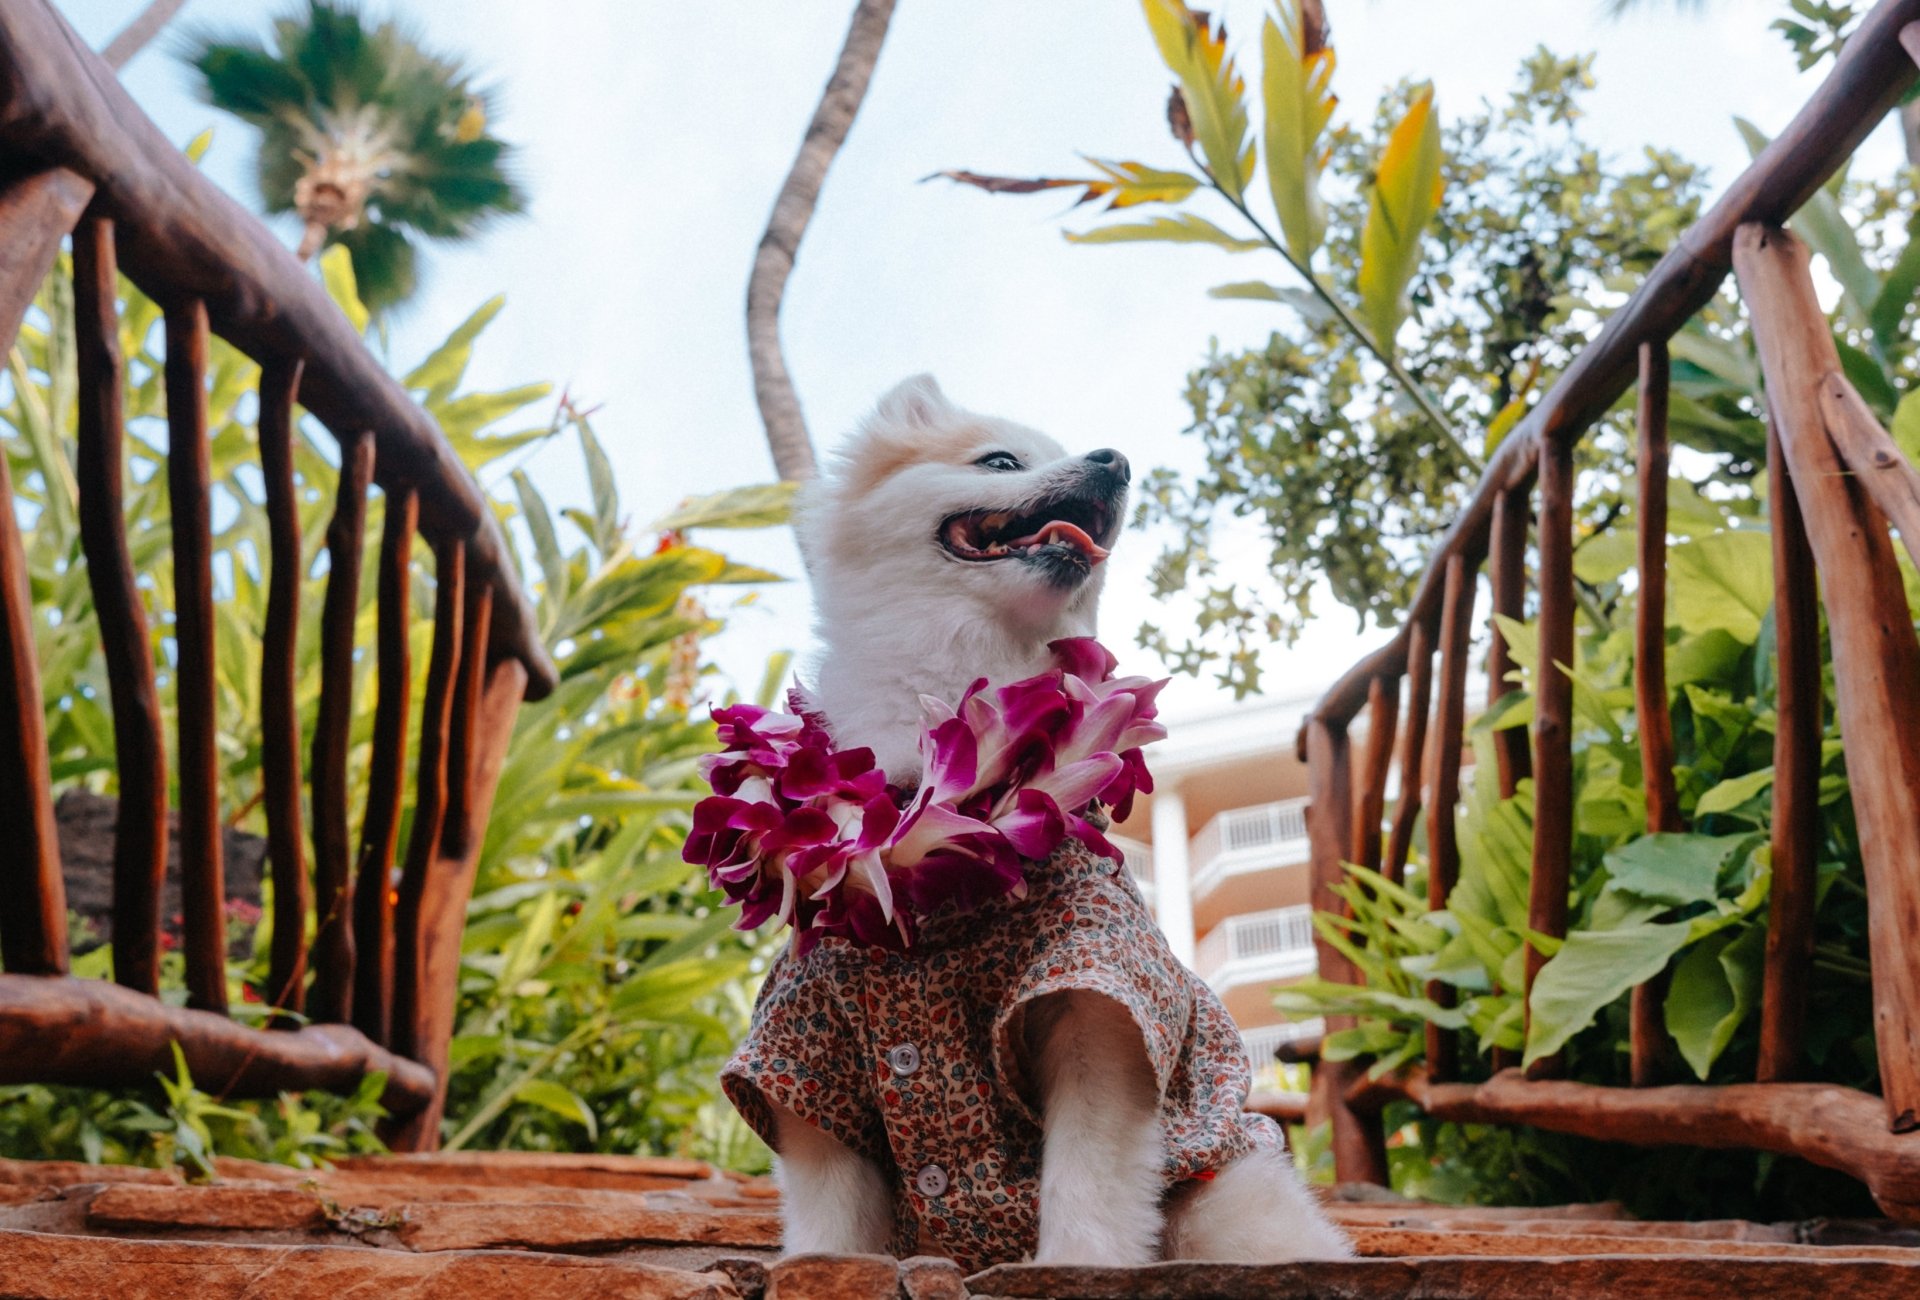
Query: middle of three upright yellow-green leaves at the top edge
point(1297, 87)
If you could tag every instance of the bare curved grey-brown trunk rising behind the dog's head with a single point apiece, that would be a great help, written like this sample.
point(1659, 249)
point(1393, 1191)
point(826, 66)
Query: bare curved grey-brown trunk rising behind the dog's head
point(773, 387)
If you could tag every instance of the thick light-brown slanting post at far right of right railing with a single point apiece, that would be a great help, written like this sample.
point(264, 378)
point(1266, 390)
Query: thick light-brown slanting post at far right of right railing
point(1877, 660)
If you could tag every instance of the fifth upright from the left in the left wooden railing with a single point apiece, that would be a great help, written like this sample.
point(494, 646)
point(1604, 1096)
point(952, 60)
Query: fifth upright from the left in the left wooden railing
point(333, 733)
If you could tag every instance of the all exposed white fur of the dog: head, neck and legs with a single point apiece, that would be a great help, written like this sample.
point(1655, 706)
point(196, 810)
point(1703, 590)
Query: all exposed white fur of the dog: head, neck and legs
point(900, 619)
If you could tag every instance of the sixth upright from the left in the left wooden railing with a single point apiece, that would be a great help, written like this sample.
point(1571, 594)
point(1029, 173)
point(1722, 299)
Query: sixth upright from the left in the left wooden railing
point(373, 892)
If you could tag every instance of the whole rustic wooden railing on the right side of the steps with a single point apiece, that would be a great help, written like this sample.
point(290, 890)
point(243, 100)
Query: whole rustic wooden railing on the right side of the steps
point(1836, 485)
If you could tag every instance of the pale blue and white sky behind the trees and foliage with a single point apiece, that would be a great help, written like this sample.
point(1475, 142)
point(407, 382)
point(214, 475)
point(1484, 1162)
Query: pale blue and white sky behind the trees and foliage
point(656, 135)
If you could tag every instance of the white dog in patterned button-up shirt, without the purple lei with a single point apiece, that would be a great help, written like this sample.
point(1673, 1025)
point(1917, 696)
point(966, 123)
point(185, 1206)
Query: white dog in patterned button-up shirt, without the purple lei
point(946, 548)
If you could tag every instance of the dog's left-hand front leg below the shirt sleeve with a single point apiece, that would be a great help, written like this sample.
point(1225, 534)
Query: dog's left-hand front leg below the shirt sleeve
point(830, 1199)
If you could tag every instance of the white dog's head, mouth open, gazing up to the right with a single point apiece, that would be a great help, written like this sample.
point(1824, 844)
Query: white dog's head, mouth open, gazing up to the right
point(953, 504)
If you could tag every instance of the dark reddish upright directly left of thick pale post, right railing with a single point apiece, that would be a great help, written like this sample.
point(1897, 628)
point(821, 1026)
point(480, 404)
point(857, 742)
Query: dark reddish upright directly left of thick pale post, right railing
point(1796, 829)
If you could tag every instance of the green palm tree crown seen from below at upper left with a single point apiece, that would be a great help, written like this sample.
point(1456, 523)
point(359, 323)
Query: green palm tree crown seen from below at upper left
point(370, 139)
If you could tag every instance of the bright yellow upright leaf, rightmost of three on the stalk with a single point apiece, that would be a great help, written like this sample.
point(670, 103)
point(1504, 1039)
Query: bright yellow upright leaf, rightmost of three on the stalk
point(1406, 197)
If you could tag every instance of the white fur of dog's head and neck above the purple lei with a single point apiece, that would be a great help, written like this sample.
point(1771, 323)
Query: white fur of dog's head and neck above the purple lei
point(898, 617)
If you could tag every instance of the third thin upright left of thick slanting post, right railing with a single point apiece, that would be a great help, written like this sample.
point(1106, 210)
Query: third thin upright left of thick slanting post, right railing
point(1552, 715)
